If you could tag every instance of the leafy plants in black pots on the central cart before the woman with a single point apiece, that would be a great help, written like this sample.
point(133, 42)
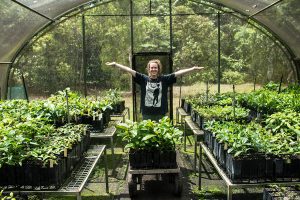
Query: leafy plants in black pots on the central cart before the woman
point(151, 144)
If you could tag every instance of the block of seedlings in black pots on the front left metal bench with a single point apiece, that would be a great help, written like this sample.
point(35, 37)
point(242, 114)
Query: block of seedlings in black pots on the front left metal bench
point(41, 160)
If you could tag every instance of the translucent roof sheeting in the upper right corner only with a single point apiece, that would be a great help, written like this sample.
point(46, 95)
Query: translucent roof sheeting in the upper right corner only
point(281, 17)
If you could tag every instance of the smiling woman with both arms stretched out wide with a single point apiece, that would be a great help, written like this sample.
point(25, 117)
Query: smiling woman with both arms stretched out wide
point(154, 87)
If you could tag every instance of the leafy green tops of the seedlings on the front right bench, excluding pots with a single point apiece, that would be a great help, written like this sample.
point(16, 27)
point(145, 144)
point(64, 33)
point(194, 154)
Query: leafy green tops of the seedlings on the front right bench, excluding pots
point(253, 138)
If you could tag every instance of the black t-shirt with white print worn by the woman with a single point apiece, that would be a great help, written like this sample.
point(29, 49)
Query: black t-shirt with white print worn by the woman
point(154, 93)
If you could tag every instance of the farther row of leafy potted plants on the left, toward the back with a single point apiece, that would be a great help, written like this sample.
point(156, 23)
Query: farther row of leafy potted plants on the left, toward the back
point(65, 106)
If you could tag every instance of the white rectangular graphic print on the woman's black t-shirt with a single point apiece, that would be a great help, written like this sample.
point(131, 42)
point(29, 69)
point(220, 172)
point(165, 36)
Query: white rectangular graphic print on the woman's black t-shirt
point(153, 94)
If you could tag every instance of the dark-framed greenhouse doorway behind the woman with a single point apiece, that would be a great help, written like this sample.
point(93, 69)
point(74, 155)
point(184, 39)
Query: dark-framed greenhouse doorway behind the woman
point(139, 63)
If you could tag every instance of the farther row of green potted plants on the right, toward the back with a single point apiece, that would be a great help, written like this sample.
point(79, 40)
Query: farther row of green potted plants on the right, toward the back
point(262, 102)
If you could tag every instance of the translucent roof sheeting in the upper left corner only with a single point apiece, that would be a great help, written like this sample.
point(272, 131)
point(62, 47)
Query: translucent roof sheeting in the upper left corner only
point(19, 23)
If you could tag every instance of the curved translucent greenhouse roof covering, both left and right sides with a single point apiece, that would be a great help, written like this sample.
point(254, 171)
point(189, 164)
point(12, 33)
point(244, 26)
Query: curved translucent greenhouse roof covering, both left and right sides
point(21, 20)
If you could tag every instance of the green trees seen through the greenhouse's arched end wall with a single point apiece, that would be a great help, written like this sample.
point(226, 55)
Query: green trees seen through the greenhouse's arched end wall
point(54, 61)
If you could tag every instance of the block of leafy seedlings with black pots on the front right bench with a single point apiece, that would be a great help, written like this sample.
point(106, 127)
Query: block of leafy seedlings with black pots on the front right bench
point(257, 152)
